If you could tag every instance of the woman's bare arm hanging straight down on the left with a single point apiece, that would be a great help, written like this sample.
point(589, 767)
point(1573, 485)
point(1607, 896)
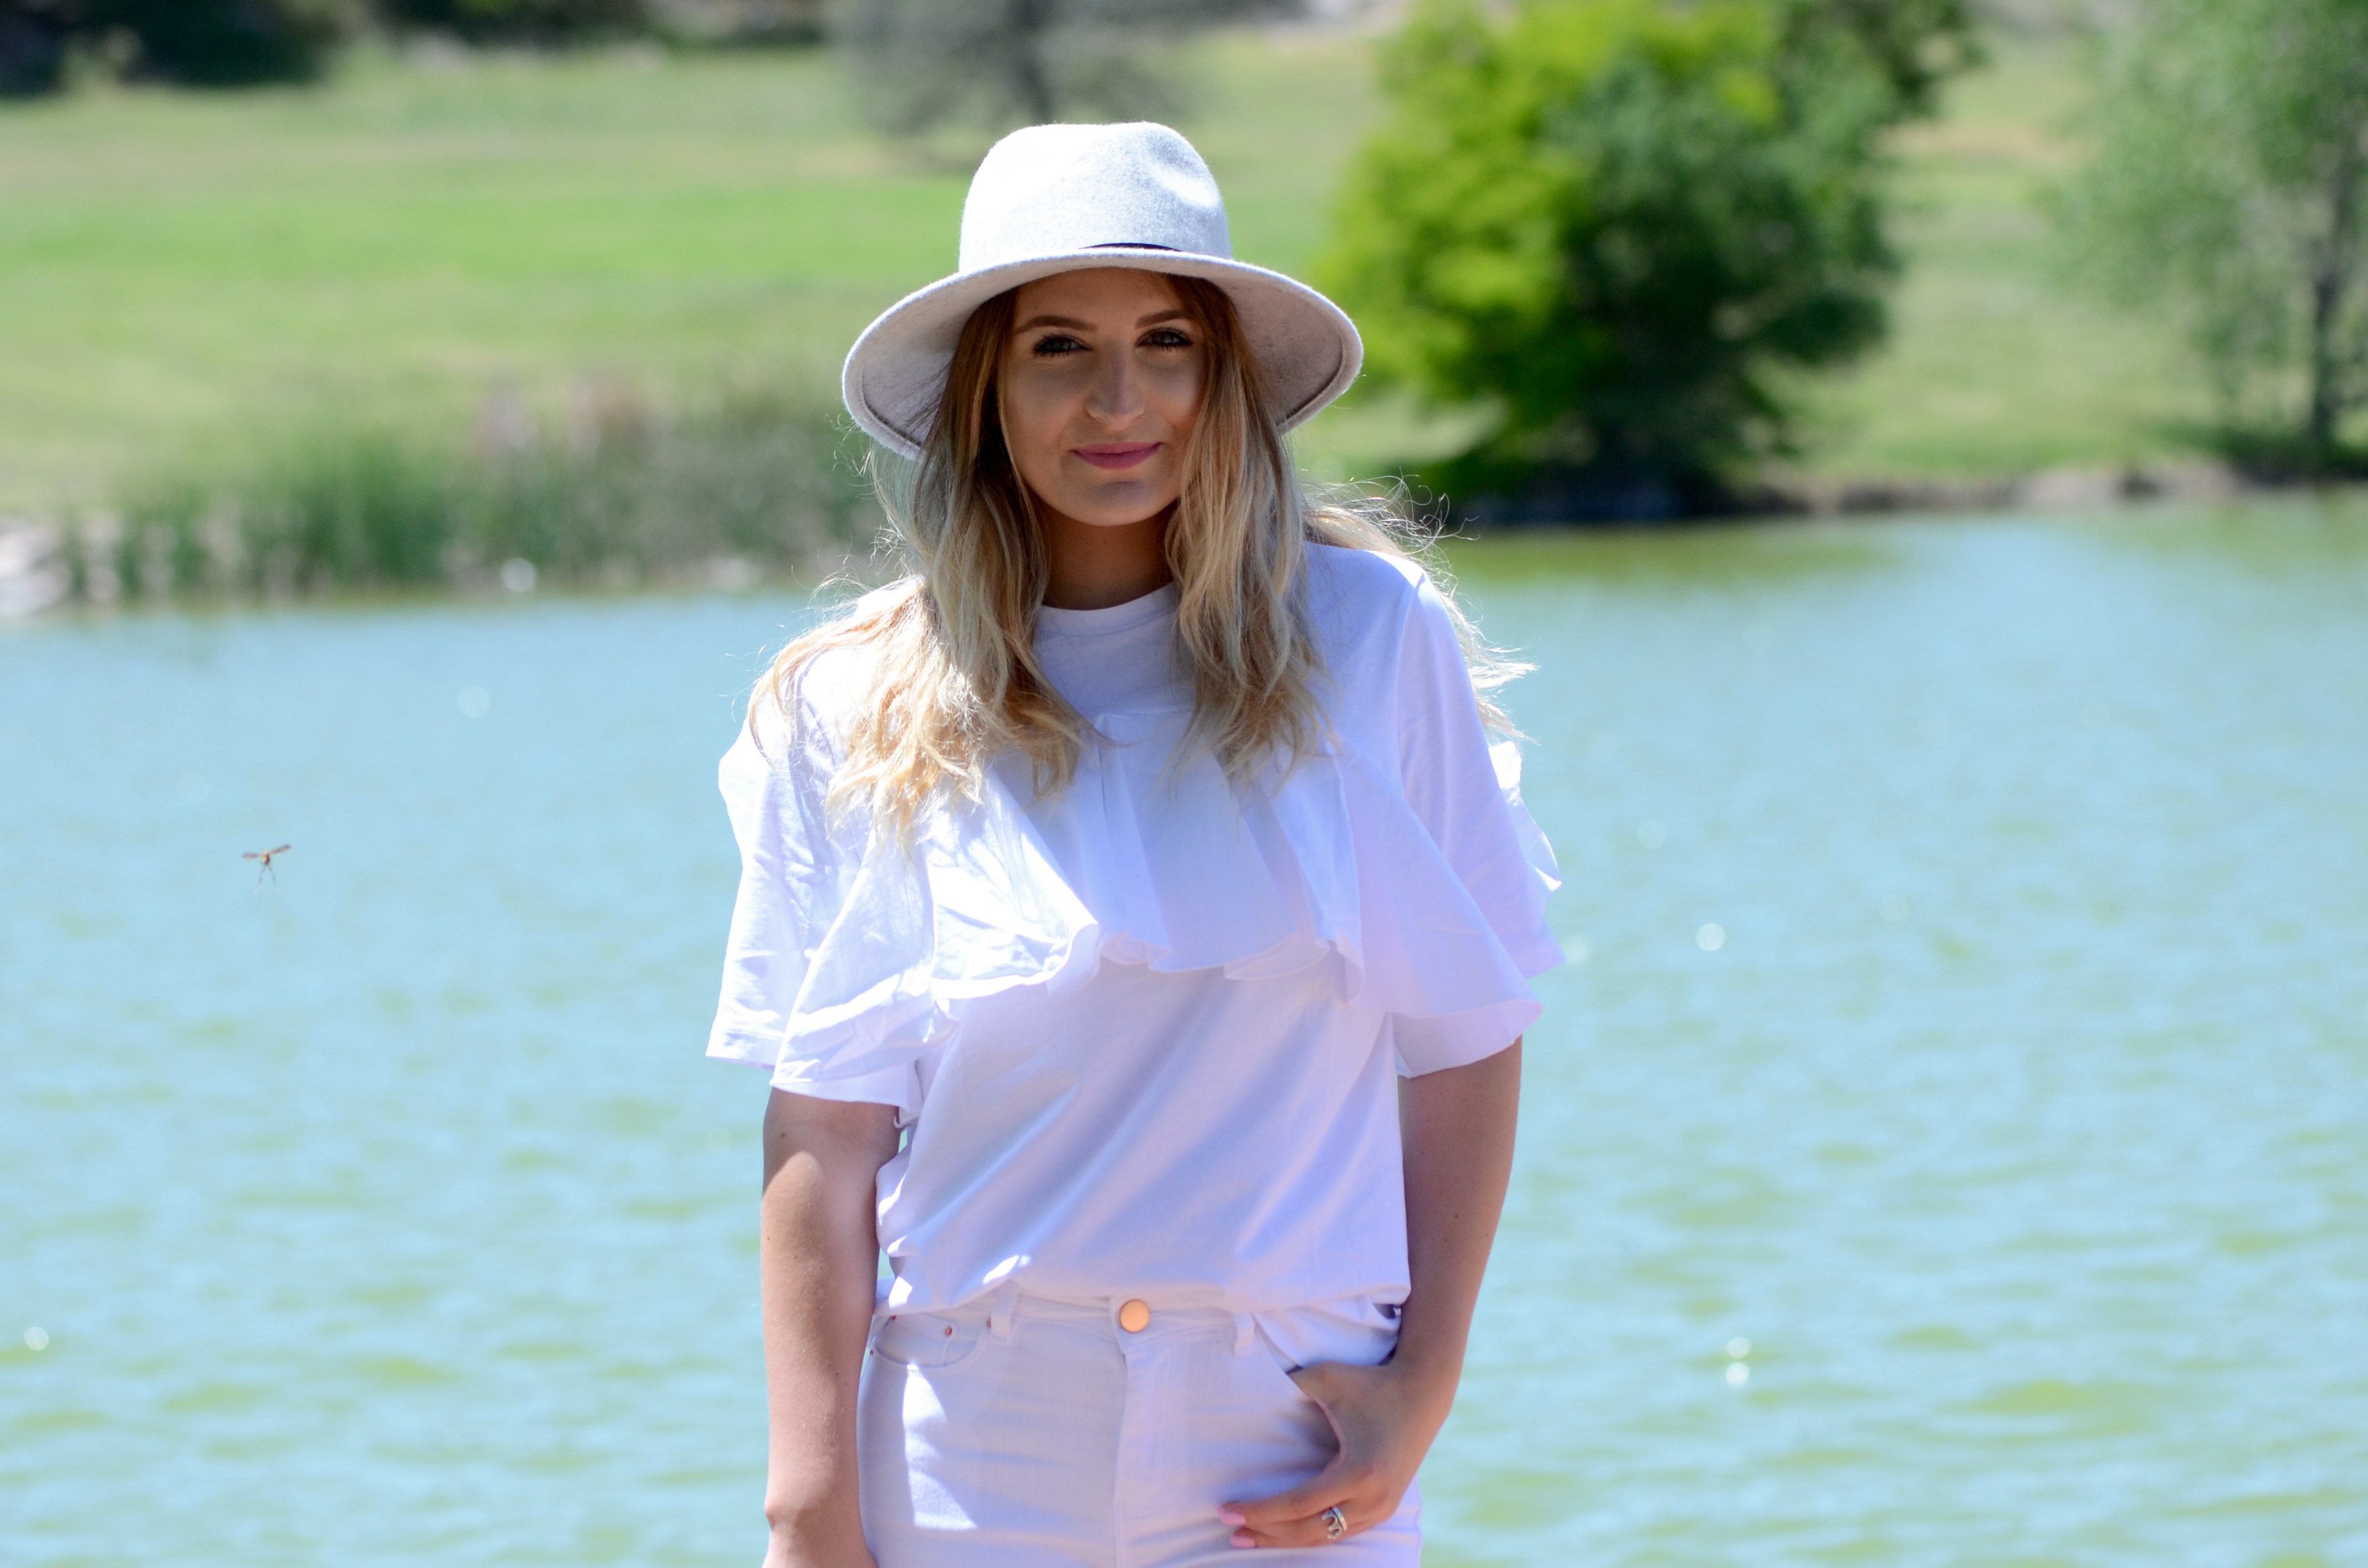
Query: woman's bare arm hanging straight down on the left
point(818, 1264)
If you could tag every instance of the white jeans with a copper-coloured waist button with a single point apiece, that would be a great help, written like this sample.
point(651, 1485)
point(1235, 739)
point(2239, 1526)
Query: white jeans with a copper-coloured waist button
point(1036, 1434)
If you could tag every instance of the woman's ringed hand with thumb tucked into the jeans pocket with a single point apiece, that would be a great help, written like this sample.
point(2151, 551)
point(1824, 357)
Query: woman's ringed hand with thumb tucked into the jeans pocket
point(1384, 1420)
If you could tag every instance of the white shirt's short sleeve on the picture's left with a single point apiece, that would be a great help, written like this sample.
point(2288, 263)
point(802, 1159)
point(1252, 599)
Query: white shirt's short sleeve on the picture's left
point(794, 887)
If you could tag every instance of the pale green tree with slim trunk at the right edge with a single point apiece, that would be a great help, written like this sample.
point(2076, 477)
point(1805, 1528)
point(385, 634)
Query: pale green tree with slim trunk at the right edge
point(2229, 186)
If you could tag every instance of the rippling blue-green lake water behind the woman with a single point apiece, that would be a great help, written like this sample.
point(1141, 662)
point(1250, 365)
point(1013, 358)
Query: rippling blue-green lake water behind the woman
point(2019, 1122)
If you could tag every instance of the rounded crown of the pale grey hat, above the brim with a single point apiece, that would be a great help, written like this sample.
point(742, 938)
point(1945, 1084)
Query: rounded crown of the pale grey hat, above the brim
point(1048, 191)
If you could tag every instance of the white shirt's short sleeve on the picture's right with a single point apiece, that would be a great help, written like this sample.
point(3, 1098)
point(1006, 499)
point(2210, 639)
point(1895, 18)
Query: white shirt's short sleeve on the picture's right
point(1467, 797)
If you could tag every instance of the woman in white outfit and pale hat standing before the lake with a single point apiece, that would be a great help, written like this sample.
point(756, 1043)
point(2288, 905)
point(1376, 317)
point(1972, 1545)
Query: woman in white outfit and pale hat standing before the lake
point(1135, 930)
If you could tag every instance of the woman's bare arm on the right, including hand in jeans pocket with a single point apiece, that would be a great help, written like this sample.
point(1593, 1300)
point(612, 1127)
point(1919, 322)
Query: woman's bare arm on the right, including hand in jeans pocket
point(1458, 1133)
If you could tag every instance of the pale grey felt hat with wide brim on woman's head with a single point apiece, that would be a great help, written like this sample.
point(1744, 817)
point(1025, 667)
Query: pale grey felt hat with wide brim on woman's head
point(1067, 198)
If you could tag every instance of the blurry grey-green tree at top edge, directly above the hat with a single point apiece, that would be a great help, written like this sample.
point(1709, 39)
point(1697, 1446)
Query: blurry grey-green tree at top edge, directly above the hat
point(1017, 60)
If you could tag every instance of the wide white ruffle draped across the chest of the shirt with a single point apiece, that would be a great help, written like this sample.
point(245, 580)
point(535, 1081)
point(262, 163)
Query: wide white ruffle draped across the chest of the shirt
point(1178, 870)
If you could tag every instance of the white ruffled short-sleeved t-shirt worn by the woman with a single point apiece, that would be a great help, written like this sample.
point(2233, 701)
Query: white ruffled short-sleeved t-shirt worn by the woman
point(1145, 1036)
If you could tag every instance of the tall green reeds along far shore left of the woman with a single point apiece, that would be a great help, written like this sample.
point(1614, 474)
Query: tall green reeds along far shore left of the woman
point(610, 494)
